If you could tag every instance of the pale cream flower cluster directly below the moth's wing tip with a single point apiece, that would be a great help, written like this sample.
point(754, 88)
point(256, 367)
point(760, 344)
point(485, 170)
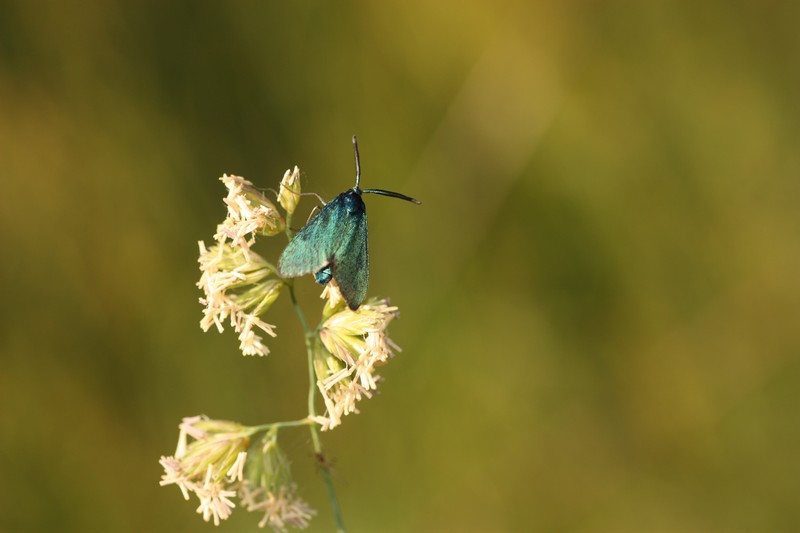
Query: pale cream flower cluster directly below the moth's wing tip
point(353, 345)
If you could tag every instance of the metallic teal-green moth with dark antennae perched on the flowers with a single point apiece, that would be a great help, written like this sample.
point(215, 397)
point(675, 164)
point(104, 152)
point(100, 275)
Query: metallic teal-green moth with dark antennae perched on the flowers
point(333, 244)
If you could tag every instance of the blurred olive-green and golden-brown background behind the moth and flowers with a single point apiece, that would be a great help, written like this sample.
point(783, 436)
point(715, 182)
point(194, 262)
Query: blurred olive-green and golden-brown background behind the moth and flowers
point(599, 296)
